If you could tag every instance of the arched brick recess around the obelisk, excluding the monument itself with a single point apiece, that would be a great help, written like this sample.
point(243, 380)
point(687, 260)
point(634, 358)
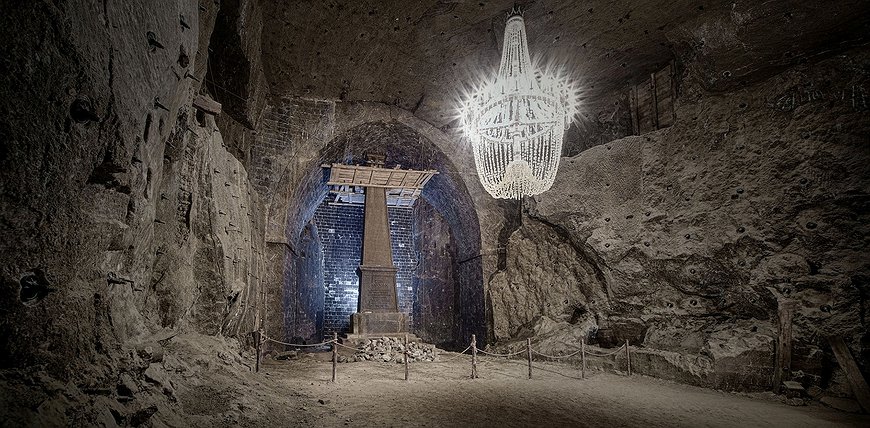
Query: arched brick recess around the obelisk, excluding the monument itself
point(435, 244)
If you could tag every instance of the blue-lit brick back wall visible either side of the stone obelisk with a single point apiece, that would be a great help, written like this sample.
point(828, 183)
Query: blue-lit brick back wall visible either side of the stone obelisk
point(341, 229)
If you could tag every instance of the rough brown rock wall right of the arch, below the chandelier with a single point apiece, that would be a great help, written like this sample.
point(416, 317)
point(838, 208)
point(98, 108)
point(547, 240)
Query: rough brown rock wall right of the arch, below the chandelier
point(698, 230)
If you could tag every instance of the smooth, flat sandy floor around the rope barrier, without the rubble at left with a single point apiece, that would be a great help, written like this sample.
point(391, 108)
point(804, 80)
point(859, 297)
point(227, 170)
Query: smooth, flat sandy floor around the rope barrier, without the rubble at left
point(441, 394)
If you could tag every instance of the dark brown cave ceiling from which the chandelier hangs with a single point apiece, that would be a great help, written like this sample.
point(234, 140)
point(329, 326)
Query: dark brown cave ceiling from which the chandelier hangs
point(418, 54)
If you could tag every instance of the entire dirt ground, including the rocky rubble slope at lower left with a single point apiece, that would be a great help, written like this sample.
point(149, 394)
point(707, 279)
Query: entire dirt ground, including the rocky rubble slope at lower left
point(203, 381)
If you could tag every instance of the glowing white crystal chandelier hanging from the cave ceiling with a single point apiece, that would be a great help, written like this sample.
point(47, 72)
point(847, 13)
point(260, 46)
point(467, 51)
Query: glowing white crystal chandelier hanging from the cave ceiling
point(515, 121)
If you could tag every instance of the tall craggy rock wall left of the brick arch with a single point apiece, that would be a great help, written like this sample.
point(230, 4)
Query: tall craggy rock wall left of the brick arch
point(126, 213)
